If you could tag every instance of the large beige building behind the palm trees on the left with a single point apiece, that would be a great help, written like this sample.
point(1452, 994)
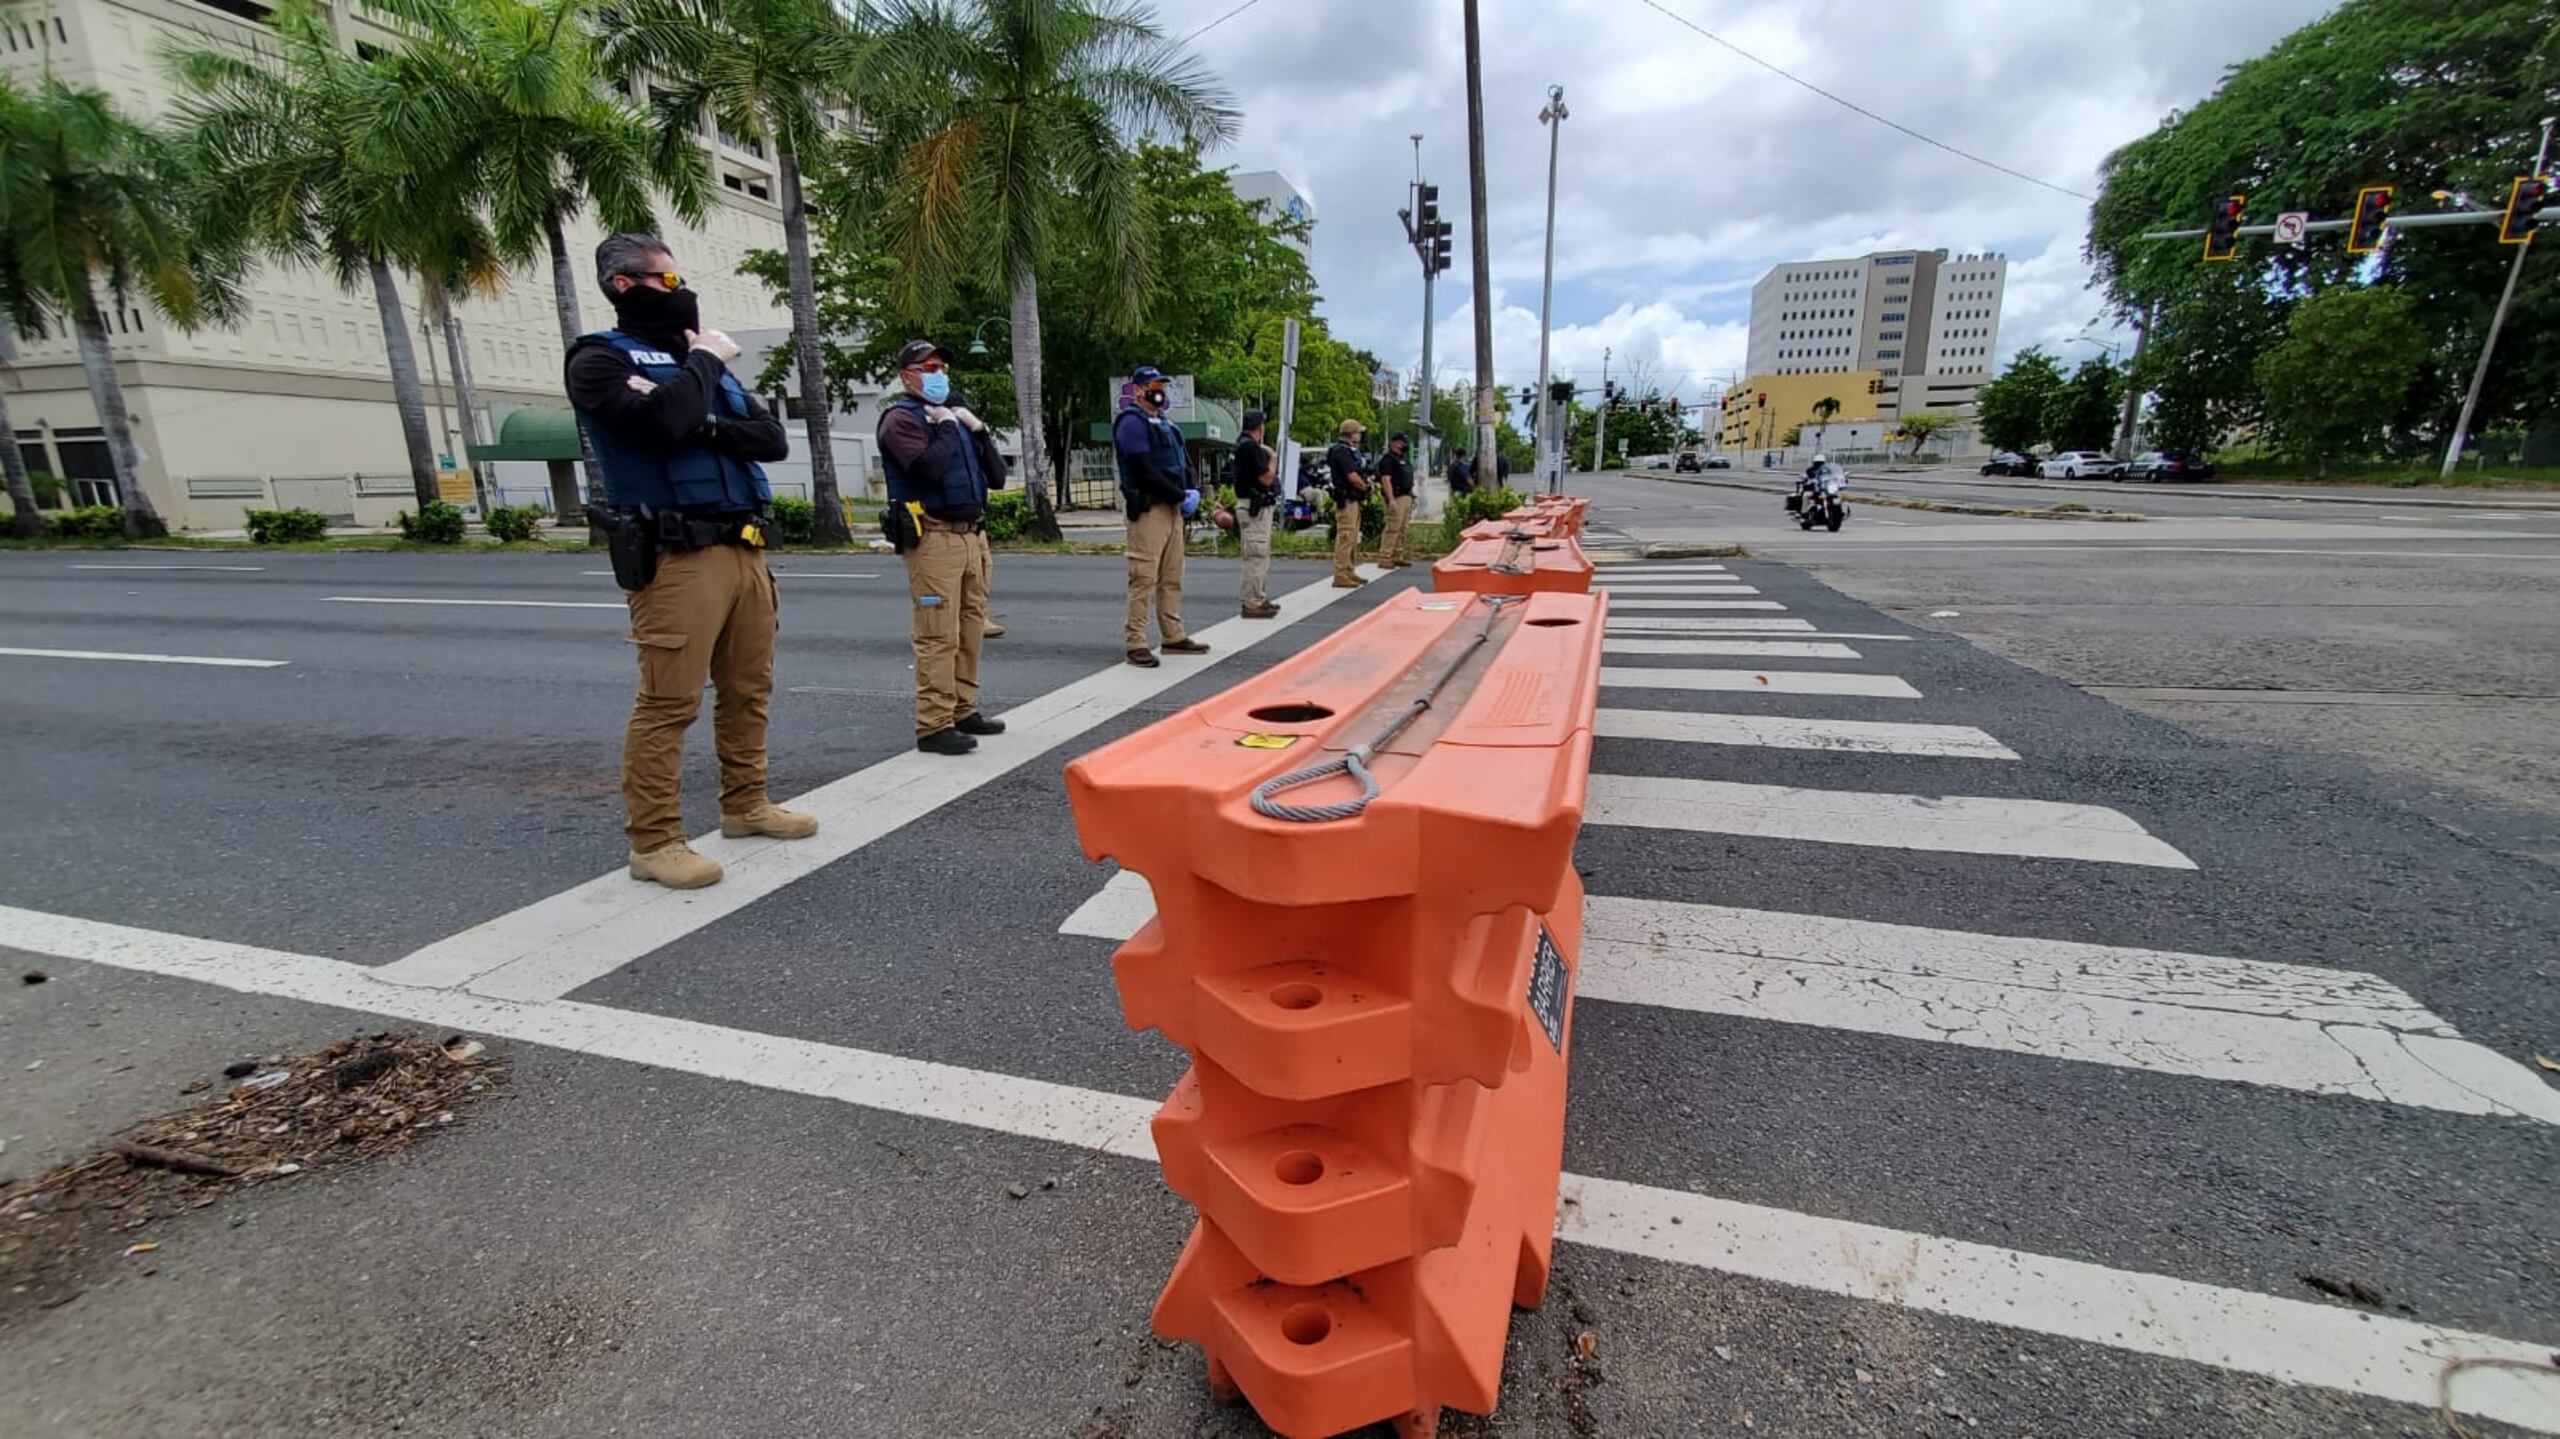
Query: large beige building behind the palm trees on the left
point(293, 406)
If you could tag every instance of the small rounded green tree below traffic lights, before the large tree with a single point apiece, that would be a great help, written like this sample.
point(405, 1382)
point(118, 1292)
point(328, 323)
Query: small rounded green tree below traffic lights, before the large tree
point(2339, 375)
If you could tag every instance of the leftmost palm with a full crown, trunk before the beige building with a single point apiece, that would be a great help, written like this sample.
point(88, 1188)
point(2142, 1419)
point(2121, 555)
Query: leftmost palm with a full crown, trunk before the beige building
point(91, 198)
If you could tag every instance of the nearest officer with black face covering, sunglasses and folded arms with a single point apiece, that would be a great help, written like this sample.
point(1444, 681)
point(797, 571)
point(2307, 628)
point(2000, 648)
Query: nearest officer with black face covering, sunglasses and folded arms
point(680, 444)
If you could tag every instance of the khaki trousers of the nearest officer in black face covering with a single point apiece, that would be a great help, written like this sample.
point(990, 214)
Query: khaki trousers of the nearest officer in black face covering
point(705, 616)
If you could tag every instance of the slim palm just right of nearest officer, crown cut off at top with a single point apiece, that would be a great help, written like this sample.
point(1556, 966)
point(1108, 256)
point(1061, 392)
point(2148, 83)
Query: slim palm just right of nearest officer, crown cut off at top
point(767, 73)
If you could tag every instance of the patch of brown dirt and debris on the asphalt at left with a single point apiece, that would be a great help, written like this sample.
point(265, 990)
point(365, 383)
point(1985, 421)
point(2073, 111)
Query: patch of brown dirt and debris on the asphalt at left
point(268, 1120)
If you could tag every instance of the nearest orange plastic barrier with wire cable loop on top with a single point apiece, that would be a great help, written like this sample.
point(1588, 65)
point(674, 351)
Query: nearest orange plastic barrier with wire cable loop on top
point(1376, 997)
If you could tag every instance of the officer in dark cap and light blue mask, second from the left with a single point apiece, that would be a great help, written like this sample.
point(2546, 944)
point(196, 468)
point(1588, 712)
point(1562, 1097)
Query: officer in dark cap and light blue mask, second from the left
point(941, 467)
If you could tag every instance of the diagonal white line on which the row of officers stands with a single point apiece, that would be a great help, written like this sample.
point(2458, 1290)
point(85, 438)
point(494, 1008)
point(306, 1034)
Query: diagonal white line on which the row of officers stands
point(575, 938)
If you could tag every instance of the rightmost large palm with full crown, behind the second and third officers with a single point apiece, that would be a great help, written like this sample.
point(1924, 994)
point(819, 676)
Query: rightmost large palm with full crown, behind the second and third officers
point(1002, 122)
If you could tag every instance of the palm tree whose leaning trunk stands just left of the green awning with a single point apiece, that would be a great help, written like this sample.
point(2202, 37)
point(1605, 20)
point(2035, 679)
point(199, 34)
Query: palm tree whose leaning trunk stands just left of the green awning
point(296, 163)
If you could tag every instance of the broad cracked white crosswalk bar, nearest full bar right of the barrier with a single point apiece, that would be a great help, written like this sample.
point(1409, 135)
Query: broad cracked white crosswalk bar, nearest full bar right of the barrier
point(2211, 1018)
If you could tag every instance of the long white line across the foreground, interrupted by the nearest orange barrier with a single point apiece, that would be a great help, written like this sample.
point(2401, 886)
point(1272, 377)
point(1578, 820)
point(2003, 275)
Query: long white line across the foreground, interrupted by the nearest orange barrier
point(2124, 1310)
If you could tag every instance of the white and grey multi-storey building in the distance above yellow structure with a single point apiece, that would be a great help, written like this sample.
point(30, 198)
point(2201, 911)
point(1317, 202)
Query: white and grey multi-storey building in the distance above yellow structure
point(1924, 321)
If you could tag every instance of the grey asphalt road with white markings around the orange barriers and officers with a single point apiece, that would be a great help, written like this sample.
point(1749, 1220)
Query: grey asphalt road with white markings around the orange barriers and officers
point(2019, 1097)
